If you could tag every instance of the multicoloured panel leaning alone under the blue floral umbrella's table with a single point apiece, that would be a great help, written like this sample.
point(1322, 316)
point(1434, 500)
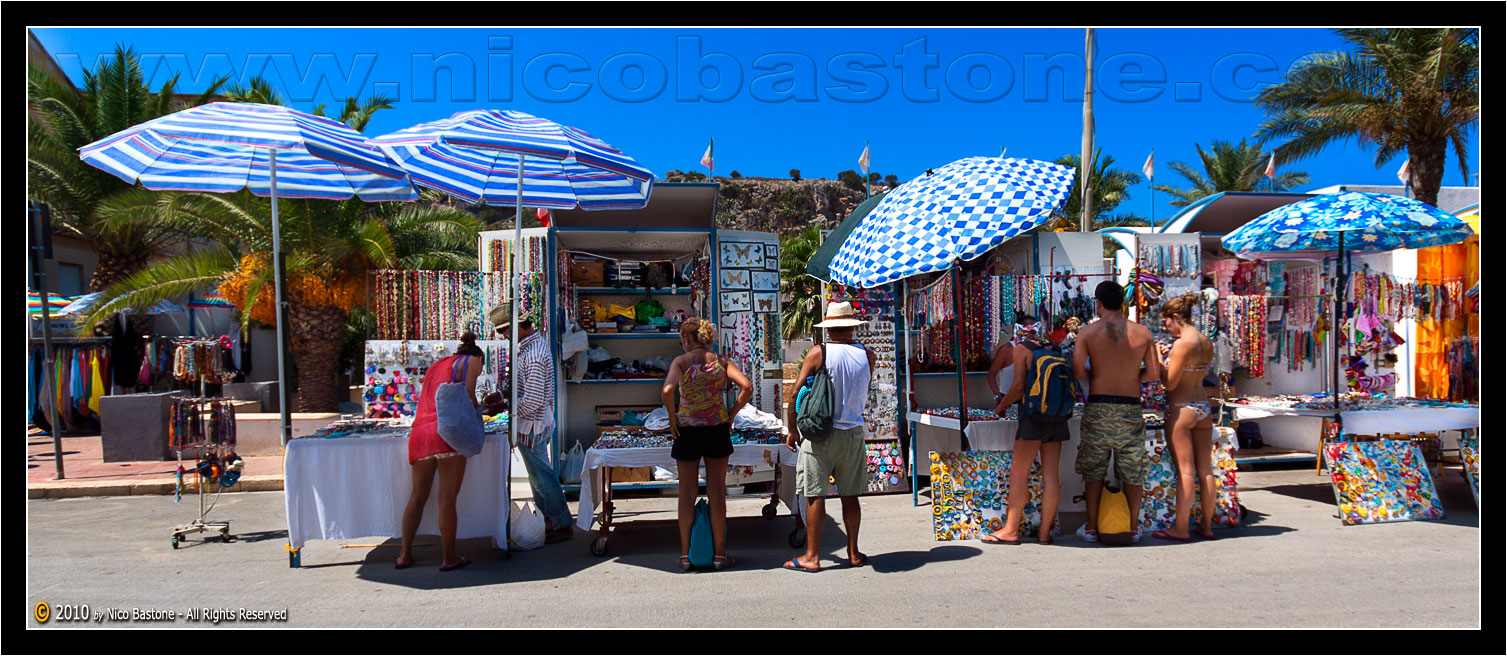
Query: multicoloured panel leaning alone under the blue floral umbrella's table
point(1381, 482)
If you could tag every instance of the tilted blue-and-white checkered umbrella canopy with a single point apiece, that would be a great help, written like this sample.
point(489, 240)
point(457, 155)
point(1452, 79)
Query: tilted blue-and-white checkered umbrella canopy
point(955, 215)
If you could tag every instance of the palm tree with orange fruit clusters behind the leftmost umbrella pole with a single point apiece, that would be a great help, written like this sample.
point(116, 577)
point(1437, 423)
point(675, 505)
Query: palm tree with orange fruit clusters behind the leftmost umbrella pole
point(329, 247)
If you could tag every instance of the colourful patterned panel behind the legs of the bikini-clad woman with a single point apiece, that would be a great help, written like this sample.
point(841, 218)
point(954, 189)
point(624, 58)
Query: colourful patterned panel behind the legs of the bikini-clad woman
point(1160, 501)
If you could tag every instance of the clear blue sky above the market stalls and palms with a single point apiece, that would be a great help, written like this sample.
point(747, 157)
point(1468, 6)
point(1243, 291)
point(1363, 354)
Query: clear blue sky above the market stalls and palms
point(784, 99)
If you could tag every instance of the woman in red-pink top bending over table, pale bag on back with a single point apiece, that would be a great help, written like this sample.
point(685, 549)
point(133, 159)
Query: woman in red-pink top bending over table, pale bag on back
point(430, 455)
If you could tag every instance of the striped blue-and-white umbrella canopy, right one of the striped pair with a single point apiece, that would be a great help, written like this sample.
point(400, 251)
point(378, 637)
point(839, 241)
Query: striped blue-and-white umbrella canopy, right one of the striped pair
point(475, 156)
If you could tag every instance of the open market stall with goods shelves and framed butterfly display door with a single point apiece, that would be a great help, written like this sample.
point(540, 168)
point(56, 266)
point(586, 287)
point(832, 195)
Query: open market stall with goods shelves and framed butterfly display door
point(611, 293)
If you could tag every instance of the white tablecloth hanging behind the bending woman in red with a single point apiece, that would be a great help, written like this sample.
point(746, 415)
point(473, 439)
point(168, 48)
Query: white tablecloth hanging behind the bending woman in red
point(350, 488)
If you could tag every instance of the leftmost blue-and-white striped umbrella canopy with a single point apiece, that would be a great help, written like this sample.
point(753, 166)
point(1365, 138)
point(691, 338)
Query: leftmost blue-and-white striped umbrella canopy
point(222, 147)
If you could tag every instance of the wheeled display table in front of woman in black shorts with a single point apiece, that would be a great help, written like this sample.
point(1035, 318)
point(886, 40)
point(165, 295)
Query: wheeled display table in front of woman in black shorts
point(643, 449)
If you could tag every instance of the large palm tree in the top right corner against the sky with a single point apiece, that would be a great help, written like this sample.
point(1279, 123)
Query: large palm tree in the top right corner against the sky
point(1416, 90)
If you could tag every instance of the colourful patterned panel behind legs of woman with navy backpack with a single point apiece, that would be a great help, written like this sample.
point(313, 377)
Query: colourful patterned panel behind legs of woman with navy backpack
point(971, 495)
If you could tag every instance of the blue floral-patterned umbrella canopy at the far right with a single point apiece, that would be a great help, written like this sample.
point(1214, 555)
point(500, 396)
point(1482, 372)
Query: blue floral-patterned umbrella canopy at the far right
point(1363, 222)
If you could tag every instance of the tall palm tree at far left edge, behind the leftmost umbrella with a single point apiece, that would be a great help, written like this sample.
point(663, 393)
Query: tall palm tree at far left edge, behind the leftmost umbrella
point(114, 97)
